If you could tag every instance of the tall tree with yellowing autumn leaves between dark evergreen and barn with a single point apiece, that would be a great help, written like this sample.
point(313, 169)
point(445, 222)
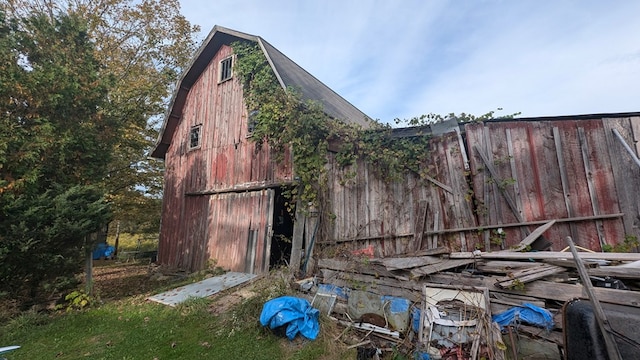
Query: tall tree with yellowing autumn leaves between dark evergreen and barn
point(143, 46)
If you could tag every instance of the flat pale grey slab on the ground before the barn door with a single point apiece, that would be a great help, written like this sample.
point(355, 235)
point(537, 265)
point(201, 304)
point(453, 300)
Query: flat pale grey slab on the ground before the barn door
point(204, 288)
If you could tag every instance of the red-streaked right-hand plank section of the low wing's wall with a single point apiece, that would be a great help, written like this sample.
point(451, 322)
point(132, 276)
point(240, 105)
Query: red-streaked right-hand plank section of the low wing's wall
point(551, 170)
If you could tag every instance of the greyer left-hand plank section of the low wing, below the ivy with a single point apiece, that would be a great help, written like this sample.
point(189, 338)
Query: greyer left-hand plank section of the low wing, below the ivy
point(362, 210)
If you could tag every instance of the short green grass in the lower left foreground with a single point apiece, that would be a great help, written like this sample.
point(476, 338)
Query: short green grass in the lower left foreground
point(136, 331)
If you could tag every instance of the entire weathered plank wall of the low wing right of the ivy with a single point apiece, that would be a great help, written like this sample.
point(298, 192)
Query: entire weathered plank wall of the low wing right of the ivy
point(542, 170)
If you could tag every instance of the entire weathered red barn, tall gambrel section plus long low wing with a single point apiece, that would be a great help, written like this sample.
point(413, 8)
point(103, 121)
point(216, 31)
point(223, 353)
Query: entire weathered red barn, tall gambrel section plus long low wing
point(486, 184)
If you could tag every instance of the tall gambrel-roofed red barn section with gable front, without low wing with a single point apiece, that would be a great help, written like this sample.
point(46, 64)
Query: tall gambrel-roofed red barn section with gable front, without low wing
point(222, 195)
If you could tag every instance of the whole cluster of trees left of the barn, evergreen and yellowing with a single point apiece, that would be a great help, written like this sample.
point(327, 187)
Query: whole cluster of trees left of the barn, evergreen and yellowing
point(83, 84)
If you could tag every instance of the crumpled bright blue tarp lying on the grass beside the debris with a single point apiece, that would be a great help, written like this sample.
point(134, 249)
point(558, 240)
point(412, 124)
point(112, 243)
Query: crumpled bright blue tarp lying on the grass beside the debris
point(296, 312)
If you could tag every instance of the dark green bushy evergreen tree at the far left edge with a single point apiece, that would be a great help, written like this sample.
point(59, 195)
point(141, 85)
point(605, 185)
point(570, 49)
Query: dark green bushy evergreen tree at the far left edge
point(56, 134)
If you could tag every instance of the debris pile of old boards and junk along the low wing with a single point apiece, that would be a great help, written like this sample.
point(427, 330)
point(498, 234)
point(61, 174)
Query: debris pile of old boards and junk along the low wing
point(439, 304)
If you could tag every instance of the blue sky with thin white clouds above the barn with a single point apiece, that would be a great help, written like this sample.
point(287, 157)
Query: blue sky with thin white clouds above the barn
point(404, 58)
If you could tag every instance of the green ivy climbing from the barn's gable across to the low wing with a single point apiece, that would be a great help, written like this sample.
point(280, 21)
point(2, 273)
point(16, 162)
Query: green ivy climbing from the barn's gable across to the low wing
point(284, 120)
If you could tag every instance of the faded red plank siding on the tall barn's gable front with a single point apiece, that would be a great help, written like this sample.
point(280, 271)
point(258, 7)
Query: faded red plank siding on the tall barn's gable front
point(226, 159)
